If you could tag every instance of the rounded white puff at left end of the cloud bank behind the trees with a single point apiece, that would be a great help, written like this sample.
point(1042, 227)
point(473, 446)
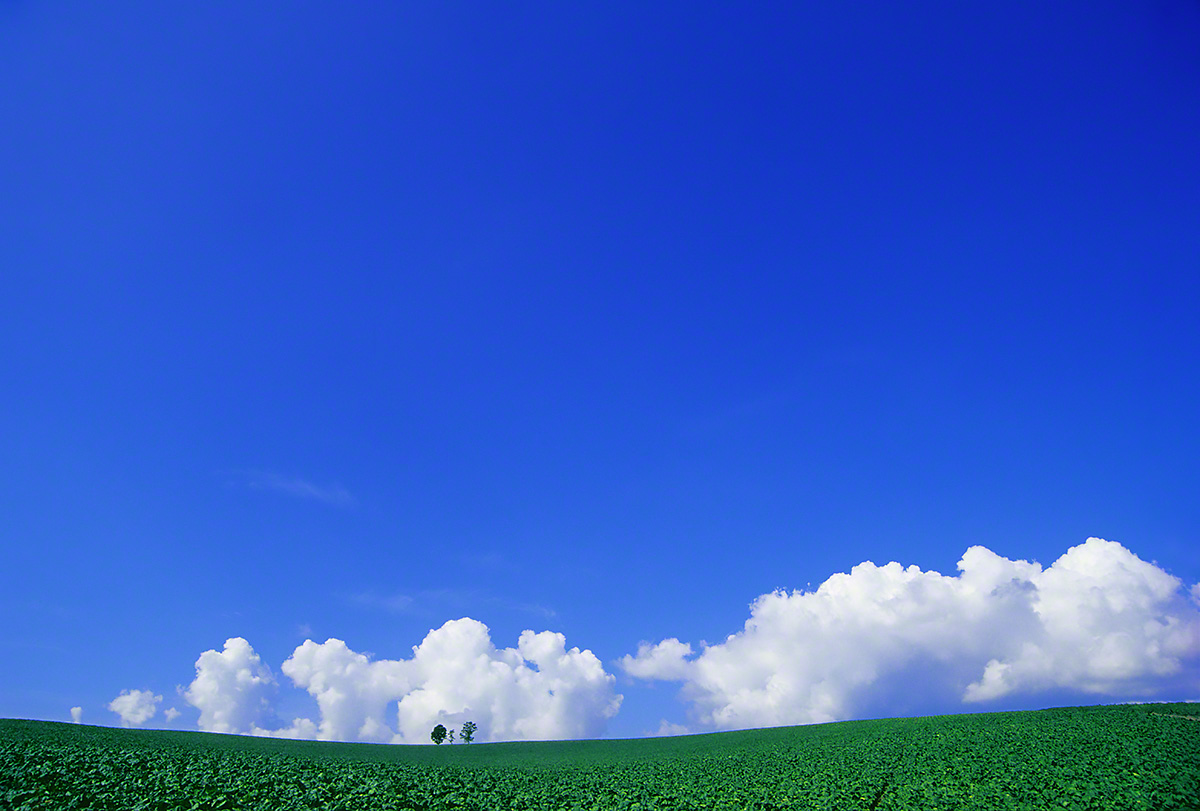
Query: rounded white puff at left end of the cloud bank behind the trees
point(232, 689)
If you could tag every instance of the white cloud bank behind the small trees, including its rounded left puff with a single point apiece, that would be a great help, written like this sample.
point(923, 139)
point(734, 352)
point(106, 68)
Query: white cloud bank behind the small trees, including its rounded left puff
point(536, 692)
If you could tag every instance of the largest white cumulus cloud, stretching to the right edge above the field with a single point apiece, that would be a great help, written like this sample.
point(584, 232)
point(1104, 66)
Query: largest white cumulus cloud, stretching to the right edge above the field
point(1100, 621)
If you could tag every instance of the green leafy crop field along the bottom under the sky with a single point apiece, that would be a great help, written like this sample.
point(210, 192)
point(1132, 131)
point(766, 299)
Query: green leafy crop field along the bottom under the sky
point(1143, 756)
